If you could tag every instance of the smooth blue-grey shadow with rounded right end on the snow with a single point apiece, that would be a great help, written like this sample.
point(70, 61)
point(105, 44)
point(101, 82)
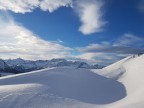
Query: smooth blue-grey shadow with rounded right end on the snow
point(78, 84)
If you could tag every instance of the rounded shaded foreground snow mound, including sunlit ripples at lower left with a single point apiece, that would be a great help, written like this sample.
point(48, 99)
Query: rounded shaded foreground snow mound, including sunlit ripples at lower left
point(78, 85)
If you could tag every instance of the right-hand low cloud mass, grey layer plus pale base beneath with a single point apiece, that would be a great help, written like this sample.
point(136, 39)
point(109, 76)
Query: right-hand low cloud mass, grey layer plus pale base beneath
point(110, 52)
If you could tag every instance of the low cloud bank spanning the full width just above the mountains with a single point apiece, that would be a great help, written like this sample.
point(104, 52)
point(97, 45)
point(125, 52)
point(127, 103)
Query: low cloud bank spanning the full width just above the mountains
point(18, 41)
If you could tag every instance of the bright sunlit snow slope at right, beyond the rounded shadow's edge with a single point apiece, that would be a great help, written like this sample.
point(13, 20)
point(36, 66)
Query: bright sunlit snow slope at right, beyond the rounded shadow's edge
point(130, 72)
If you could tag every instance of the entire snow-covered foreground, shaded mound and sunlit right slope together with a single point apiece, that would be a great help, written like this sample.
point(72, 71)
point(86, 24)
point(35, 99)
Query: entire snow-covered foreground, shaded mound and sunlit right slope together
point(117, 86)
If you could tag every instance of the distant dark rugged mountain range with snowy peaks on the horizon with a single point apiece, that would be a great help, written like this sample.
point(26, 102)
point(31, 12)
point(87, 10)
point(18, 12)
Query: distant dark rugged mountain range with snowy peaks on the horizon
point(20, 65)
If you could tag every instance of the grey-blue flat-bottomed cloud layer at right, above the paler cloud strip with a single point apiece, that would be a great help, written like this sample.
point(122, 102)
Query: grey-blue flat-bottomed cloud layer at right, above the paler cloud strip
point(126, 44)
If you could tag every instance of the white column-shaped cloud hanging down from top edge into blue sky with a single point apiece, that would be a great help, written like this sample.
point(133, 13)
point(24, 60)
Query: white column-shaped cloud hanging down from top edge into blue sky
point(90, 13)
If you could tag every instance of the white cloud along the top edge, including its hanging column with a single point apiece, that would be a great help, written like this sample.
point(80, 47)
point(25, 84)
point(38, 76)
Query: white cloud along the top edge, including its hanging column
point(89, 11)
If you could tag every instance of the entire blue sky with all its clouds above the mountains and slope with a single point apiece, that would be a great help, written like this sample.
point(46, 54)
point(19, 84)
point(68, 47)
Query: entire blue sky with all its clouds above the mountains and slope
point(96, 31)
